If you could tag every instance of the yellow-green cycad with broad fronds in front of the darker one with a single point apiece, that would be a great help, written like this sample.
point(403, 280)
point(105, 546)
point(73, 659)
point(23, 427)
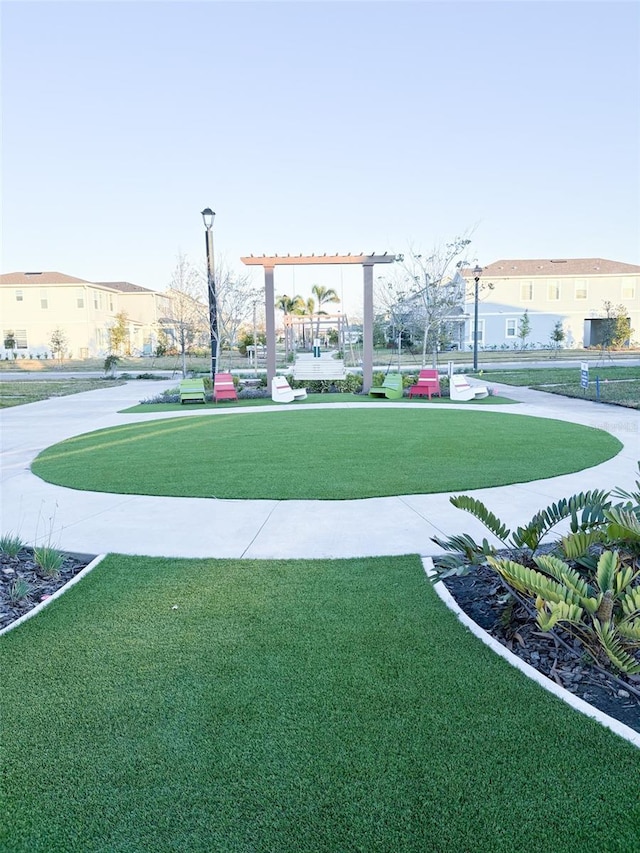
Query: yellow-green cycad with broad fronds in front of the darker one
point(603, 611)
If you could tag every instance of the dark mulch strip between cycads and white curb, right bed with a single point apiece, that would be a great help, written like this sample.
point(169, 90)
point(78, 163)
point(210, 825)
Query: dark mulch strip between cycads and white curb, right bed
point(481, 595)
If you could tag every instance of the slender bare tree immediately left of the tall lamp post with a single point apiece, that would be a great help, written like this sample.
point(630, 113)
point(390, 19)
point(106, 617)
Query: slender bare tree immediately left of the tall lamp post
point(187, 315)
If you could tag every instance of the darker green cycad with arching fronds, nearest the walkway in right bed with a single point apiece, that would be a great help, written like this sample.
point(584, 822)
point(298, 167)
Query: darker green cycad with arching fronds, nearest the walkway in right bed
point(586, 512)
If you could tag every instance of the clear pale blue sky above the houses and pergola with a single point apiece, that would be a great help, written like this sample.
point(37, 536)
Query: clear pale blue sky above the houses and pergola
point(313, 127)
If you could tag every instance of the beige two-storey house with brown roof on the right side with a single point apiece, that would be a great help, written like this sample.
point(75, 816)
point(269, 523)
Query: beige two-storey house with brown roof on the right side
point(572, 291)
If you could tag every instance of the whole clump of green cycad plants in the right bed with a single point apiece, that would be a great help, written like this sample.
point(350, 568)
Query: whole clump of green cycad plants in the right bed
point(587, 585)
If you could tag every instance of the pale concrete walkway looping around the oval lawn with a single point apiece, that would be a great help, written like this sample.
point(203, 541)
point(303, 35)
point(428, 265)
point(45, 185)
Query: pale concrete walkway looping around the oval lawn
point(92, 523)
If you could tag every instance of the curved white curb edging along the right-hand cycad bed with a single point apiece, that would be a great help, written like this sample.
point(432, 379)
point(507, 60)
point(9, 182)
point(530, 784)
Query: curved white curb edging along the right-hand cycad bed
point(578, 704)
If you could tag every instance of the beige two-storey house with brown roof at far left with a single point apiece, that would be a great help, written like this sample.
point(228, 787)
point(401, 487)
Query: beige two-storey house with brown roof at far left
point(34, 304)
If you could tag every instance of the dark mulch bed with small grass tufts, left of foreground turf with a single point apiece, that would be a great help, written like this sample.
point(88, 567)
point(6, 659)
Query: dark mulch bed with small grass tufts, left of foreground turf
point(24, 567)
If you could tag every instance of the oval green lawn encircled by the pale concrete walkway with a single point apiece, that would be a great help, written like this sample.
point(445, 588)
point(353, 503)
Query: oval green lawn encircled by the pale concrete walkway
point(324, 453)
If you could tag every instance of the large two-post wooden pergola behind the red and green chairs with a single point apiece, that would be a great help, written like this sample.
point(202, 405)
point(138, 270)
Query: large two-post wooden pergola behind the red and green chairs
point(269, 263)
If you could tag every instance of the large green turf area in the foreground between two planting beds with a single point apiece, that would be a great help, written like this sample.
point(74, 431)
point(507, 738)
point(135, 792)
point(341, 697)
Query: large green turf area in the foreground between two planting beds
point(313, 706)
